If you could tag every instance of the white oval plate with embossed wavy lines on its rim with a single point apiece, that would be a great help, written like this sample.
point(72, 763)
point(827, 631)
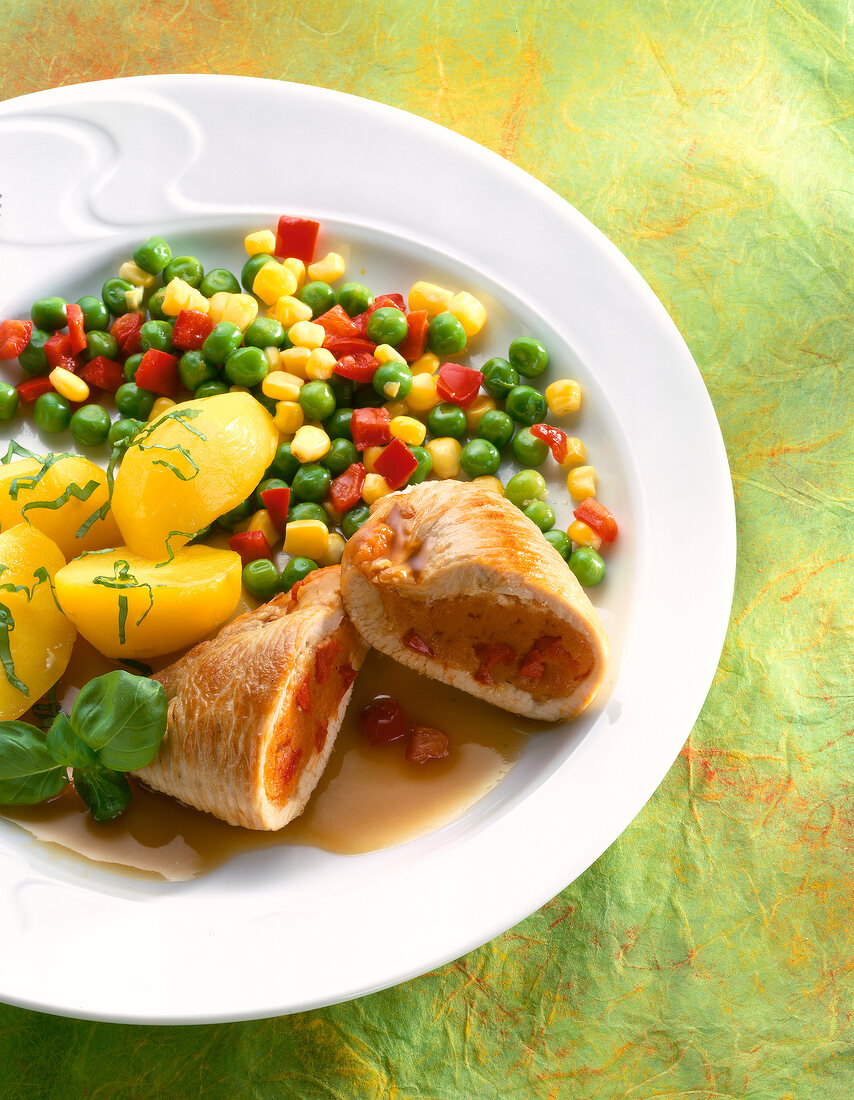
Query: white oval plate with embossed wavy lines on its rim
point(92, 170)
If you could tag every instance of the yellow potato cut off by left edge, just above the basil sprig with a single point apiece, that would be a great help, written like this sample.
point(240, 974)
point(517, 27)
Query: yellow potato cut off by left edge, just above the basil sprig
point(39, 636)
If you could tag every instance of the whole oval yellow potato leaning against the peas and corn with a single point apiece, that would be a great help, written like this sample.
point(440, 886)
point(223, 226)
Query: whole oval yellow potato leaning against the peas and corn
point(199, 461)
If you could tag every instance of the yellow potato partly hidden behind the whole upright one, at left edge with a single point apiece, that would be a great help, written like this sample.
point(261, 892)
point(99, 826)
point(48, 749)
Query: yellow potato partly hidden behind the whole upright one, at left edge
point(62, 524)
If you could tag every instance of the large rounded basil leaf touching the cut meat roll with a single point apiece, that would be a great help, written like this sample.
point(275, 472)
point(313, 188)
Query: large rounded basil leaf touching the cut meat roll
point(123, 718)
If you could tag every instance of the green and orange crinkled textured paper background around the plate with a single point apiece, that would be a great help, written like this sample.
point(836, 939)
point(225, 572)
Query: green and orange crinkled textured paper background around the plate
point(710, 952)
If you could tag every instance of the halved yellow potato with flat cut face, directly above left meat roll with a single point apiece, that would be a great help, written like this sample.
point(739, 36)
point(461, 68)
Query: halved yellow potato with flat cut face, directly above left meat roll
point(128, 607)
